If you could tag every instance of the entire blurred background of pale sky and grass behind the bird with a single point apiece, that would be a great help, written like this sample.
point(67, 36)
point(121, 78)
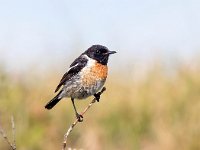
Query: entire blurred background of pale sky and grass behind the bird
point(152, 100)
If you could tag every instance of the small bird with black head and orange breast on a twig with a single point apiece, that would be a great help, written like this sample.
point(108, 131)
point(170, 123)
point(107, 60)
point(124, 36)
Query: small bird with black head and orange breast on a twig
point(85, 77)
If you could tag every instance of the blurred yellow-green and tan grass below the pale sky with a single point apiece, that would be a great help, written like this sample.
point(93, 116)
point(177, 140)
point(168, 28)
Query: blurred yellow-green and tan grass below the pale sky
point(156, 112)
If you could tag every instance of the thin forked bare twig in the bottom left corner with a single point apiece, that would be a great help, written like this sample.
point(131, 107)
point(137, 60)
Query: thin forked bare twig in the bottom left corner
point(3, 133)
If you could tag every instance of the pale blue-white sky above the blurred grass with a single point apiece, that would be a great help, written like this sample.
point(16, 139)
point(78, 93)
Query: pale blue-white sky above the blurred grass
point(49, 32)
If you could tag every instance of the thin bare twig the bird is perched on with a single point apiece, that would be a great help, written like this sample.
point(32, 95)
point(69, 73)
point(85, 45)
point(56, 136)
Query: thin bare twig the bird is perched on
point(76, 121)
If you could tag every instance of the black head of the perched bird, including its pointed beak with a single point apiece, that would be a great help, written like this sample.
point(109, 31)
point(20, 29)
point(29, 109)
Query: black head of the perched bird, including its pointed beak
point(99, 53)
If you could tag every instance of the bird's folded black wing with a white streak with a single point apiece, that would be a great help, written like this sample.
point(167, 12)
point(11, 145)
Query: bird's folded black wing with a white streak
point(74, 69)
